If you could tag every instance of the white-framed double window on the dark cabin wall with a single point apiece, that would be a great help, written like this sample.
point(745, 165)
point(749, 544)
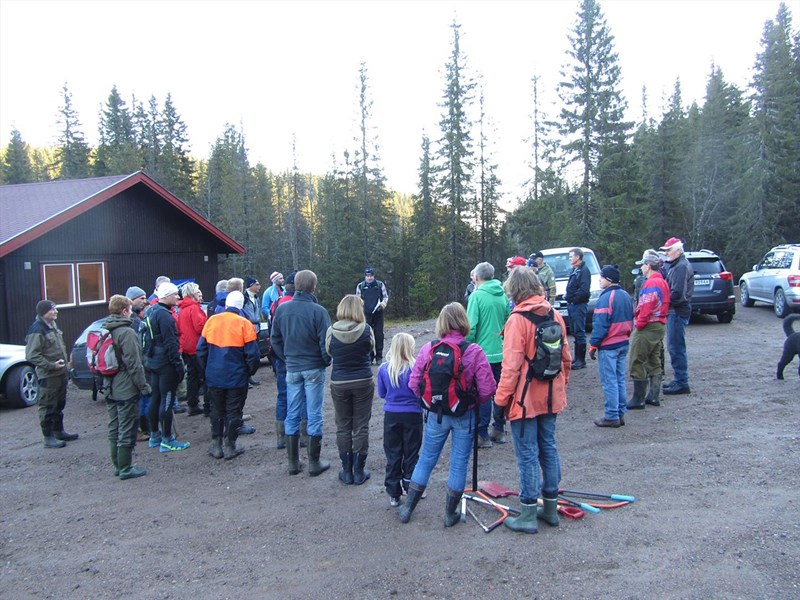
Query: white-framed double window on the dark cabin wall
point(75, 284)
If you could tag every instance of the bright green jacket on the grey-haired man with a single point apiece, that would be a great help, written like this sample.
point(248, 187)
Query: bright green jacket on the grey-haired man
point(488, 311)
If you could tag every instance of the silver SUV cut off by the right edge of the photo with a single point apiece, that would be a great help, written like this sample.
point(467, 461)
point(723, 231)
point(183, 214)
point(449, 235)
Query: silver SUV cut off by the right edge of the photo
point(774, 280)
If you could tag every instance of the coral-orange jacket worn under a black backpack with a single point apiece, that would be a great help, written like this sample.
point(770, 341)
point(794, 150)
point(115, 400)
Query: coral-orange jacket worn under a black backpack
point(519, 342)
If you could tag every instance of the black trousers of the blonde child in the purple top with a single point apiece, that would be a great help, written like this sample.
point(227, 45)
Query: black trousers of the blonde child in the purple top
point(402, 440)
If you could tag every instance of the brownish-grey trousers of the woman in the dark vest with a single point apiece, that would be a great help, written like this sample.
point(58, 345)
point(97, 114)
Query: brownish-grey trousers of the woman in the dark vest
point(352, 405)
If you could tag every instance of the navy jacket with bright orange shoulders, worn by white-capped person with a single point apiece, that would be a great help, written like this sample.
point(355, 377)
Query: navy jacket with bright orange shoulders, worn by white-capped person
point(228, 350)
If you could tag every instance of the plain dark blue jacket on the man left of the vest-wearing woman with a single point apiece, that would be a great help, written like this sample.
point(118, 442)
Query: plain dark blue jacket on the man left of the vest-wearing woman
point(298, 333)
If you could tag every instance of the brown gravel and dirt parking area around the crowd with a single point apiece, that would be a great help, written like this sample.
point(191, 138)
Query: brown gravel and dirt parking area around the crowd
point(715, 475)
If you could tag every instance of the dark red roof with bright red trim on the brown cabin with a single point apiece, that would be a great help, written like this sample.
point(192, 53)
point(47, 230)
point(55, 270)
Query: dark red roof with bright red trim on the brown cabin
point(29, 210)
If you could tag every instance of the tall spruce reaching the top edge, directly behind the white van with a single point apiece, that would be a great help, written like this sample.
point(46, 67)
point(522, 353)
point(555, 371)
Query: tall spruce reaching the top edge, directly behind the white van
point(591, 120)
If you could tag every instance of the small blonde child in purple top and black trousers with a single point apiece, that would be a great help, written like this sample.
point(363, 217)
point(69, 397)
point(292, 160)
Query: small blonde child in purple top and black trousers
point(402, 421)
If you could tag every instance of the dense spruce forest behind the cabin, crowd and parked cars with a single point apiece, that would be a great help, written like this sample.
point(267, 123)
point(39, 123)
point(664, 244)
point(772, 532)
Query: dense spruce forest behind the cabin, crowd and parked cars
point(723, 174)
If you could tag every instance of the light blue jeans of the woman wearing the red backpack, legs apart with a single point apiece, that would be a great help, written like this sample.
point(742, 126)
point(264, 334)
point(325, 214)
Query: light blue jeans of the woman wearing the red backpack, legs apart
point(460, 446)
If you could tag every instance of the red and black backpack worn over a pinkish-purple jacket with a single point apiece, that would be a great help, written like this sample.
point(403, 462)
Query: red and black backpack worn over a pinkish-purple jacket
point(443, 388)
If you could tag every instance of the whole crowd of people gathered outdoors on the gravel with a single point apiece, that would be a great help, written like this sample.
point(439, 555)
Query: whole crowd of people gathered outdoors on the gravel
point(168, 340)
